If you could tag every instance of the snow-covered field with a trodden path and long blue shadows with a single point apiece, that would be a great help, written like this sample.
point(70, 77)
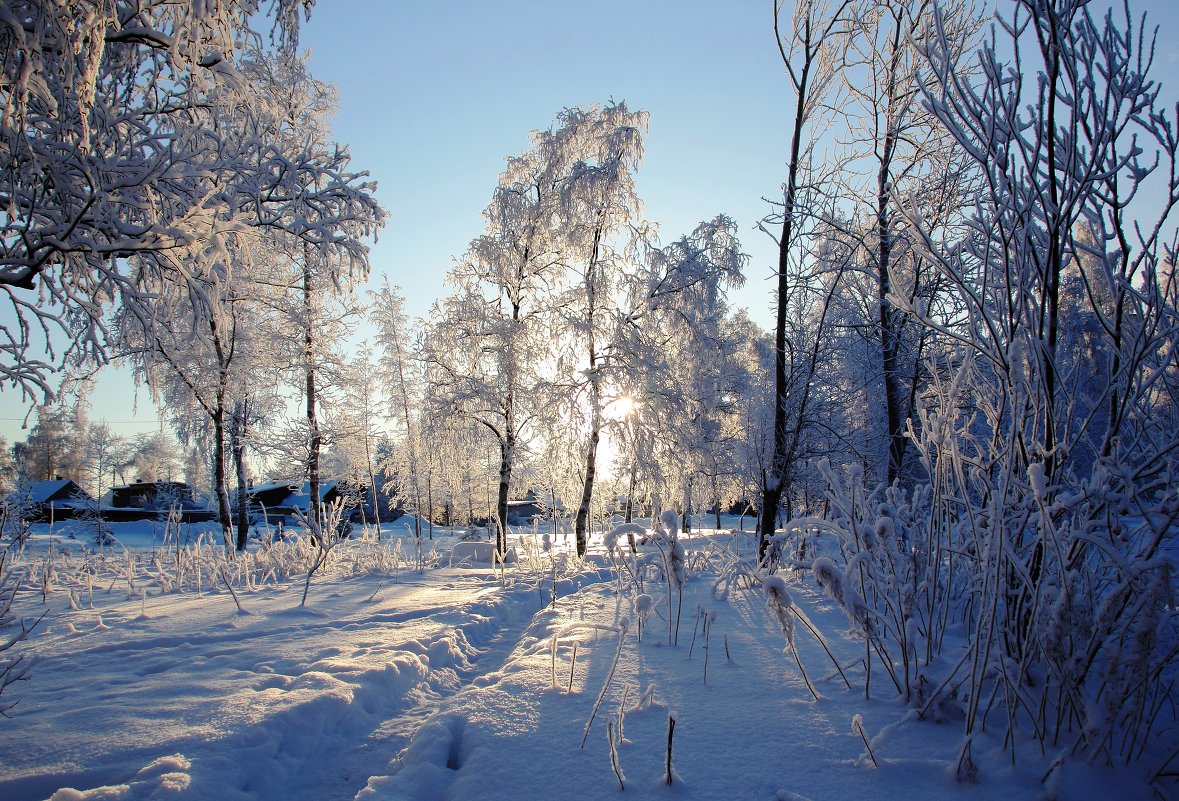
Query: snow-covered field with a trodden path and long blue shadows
point(410, 677)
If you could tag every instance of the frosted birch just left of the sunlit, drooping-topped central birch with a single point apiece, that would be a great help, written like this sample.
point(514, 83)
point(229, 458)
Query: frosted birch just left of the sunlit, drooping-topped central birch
point(490, 343)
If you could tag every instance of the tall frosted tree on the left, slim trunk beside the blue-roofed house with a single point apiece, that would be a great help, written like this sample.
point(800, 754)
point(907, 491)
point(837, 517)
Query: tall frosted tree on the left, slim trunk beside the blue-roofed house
point(311, 253)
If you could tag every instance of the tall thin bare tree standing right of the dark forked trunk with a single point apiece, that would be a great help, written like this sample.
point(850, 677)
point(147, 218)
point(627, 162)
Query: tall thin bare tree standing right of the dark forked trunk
point(900, 156)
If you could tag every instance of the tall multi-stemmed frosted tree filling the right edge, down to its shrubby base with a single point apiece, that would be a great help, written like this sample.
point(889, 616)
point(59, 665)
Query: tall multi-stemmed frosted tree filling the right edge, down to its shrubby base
point(1050, 495)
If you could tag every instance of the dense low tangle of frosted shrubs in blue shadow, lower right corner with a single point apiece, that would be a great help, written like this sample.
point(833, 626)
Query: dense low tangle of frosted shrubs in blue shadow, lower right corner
point(1058, 583)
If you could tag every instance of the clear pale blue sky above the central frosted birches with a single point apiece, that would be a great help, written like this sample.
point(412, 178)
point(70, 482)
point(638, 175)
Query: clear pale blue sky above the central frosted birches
point(433, 97)
